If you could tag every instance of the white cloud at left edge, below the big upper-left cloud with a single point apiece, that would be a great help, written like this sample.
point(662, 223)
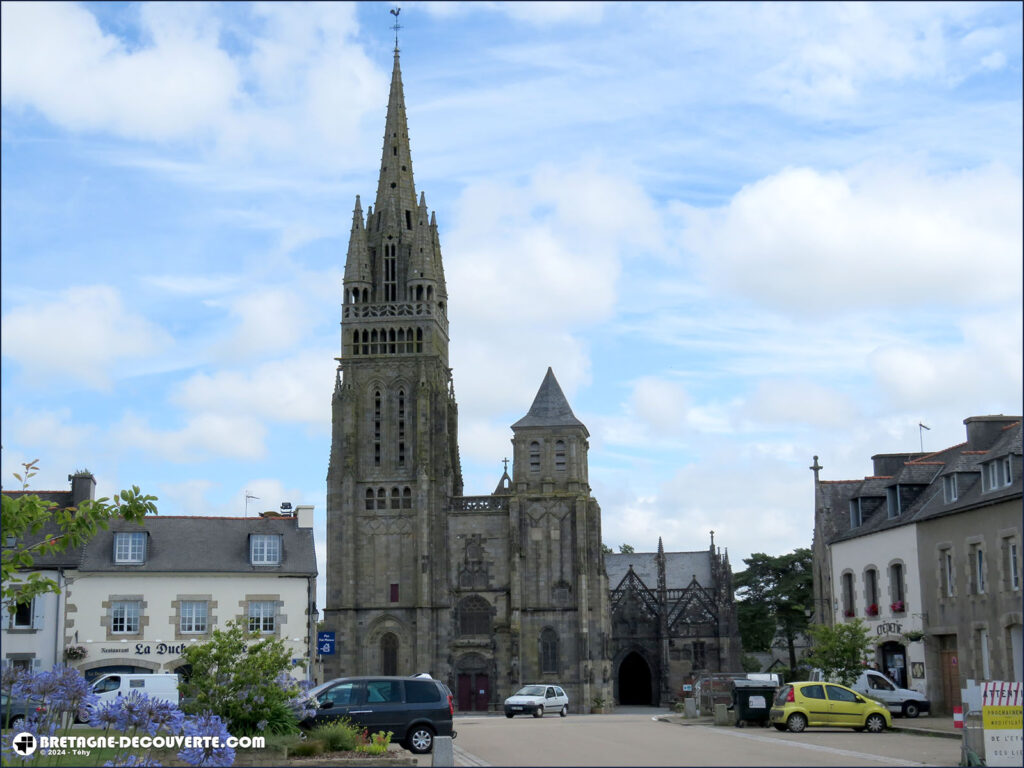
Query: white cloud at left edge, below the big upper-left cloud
point(81, 334)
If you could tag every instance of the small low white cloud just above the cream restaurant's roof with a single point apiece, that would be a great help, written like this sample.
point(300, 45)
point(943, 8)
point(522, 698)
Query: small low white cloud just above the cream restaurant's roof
point(204, 437)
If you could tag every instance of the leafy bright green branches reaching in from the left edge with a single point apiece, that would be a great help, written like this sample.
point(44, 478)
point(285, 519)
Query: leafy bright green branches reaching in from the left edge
point(40, 528)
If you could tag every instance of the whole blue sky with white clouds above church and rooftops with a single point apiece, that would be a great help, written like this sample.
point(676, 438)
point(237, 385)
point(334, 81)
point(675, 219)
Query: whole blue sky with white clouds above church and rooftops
point(742, 235)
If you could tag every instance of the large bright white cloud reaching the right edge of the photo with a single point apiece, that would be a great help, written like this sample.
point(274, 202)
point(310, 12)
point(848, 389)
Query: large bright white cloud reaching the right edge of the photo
point(802, 240)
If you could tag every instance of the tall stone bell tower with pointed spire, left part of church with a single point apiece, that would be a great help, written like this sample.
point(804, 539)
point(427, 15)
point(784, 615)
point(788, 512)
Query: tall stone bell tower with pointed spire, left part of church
point(395, 457)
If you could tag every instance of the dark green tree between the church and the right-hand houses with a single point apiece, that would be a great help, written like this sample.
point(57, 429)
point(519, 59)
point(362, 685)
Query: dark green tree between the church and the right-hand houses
point(774, 594)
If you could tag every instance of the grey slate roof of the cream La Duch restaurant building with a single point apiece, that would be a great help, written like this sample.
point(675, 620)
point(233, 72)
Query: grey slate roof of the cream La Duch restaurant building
point(191, 544)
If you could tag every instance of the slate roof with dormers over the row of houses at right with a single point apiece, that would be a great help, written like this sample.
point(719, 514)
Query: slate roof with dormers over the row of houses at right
point(930, 503)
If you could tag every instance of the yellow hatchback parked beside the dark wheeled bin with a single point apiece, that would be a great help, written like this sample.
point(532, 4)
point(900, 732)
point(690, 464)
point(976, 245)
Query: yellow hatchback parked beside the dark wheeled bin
point(800, 705)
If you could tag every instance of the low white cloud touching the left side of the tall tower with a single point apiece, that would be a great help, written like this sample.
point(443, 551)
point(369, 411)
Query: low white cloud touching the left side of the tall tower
point(294, 390)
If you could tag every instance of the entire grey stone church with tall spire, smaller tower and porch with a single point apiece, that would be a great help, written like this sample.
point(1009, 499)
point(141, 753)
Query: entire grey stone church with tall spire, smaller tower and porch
point(491, 592)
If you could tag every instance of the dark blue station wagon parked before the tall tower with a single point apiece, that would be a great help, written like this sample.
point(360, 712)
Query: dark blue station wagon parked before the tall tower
point(415, 710)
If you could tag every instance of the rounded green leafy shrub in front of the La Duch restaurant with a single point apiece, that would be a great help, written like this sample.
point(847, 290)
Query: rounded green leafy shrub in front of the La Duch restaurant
point(243, 678)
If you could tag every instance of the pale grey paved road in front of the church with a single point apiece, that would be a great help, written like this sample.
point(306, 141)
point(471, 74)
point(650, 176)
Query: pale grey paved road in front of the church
point(638, 739)
